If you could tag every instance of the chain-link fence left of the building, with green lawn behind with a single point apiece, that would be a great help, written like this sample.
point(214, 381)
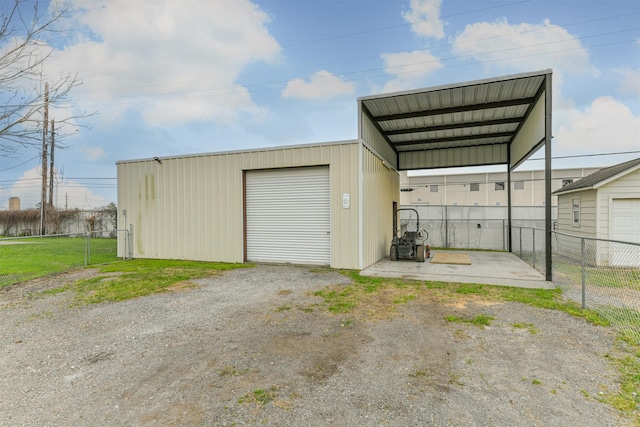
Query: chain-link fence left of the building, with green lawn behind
point(25, 258)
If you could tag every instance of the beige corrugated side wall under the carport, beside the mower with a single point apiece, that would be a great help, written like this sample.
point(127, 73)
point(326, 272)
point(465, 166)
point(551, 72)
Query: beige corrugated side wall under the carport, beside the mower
point(381, 187)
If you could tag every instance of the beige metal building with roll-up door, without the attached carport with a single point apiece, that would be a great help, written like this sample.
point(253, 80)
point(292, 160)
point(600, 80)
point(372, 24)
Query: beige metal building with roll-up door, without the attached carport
point(326, 204)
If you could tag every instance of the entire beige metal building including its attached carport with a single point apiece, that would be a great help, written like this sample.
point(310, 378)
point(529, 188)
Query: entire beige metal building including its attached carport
point(333, 203)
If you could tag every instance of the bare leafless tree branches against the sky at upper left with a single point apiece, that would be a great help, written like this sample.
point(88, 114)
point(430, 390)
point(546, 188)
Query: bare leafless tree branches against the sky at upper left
point(24, 50)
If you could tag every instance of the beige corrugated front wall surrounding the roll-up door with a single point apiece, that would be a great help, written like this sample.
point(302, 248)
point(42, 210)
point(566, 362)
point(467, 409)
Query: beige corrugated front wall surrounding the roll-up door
point(192, 207)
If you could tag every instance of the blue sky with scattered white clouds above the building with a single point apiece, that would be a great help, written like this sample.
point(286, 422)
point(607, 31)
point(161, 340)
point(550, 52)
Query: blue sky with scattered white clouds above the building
point(170, 77)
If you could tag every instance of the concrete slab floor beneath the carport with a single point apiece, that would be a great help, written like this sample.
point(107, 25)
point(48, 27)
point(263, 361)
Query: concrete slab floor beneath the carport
point(489, 268)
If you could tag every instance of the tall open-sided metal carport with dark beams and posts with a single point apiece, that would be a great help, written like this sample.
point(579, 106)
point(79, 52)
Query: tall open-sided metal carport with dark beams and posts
point(498, 121)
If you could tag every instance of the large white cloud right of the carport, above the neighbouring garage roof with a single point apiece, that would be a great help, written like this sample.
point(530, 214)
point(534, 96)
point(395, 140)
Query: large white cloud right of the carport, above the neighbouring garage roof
point(606, 126)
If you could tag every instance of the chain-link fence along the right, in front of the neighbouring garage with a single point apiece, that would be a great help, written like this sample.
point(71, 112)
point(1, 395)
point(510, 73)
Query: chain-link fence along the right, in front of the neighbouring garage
point(602, 275)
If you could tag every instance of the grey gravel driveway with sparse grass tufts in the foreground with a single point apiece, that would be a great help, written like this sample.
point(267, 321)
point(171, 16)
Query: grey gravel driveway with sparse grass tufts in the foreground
point(251, 347)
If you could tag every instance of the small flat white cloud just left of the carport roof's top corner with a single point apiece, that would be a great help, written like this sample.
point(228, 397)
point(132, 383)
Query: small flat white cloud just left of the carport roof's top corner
point(321, 85)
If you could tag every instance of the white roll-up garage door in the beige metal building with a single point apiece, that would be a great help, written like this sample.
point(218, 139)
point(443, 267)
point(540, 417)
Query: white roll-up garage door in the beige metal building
point(288, 215)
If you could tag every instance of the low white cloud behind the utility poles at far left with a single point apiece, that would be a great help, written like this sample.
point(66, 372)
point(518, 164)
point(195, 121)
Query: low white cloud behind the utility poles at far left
point(66, 193)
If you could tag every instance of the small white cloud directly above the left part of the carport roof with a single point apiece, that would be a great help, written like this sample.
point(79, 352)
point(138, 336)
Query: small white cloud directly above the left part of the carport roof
point(409, 68)
